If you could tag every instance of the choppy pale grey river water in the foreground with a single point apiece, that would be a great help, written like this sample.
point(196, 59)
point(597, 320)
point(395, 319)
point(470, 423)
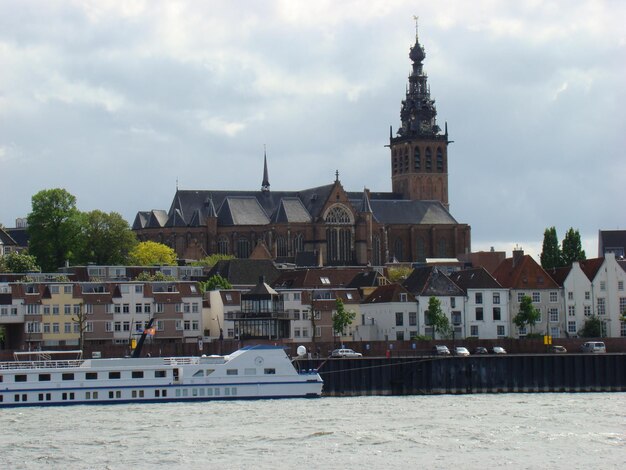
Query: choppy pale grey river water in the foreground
point(518, 431)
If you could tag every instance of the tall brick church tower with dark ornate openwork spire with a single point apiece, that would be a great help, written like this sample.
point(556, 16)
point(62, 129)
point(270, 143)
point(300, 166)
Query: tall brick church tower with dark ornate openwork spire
point(419, 152)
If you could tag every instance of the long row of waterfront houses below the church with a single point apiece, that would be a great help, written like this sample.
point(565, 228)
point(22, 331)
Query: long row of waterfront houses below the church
point(298, 304)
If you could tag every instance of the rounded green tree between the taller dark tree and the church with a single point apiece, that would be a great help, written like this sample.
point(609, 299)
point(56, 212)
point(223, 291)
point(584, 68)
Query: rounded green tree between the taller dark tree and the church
point(106, 239)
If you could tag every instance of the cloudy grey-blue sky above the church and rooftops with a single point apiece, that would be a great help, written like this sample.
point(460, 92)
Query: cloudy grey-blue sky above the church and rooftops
point(120, 101)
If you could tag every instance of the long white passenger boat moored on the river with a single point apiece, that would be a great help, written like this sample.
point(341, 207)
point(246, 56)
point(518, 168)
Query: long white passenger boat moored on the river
point(252, 372)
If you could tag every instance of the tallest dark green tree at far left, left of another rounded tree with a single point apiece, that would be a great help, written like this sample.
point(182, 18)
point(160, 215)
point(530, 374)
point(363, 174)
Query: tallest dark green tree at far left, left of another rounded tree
point(53, 228)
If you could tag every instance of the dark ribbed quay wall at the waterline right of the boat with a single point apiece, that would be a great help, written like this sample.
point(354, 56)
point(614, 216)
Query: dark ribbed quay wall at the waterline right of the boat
point(521, 373)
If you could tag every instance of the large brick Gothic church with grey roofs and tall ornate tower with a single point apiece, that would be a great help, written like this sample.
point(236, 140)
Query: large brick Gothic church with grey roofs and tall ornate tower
point(328, 225)
